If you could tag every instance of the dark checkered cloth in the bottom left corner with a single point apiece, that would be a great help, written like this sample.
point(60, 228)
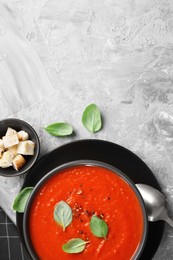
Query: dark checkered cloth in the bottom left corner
point(10, 245)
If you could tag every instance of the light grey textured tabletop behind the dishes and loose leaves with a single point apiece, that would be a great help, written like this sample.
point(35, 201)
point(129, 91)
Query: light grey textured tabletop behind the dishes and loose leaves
point(56, 57)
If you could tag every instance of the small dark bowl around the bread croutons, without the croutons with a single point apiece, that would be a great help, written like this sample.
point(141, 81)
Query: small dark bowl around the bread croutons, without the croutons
point(19, 125)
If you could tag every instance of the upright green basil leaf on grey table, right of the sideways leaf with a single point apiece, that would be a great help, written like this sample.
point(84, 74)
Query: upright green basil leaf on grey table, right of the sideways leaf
point(91, 118)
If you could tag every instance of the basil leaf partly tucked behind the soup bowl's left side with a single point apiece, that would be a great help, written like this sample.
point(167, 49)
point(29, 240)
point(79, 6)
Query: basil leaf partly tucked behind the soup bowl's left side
point(21, 199)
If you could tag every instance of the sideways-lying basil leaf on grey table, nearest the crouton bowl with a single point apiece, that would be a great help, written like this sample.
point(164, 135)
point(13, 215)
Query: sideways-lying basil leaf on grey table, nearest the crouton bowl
point(59, 129)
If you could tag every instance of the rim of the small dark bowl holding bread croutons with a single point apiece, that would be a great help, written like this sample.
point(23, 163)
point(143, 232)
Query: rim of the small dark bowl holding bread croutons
point(37, 150)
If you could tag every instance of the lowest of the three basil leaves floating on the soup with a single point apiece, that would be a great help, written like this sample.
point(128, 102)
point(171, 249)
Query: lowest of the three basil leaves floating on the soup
point(74, 245)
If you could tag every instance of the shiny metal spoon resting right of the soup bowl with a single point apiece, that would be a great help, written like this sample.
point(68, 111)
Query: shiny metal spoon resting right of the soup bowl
point(155, 203)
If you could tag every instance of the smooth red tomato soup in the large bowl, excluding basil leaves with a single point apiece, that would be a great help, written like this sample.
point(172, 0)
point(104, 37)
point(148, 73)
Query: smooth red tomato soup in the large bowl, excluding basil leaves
point(89, 190)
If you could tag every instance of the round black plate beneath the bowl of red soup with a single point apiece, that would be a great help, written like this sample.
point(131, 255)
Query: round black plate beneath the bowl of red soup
point(107, 152)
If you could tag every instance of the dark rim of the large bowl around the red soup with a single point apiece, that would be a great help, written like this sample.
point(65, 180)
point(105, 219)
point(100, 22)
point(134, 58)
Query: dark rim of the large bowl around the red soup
point(70, 164)
